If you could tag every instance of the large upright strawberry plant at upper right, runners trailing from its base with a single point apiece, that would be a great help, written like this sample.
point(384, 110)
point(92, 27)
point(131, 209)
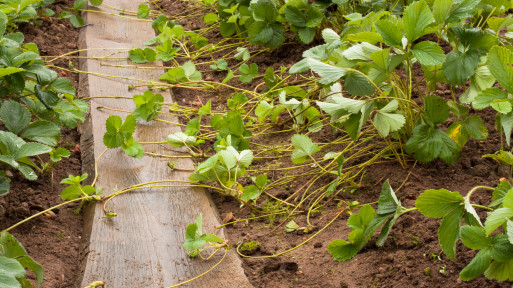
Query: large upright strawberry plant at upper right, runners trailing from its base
point(393, 103)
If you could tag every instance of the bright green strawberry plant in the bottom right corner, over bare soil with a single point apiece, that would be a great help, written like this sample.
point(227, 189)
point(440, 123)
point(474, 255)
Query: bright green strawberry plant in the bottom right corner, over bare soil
point(494, 244)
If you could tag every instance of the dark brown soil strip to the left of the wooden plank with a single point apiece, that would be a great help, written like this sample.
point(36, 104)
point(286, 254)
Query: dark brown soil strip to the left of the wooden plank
point(53, 242)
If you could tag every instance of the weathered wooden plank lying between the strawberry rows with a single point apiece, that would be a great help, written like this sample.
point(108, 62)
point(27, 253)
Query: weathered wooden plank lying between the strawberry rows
point(142, 246)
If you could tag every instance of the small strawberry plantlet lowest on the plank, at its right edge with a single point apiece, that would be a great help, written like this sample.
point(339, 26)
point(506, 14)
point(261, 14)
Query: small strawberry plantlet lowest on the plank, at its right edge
point(196, 240)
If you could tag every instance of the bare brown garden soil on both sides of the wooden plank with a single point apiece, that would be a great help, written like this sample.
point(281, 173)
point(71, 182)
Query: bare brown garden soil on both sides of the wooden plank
point(411, 257)
